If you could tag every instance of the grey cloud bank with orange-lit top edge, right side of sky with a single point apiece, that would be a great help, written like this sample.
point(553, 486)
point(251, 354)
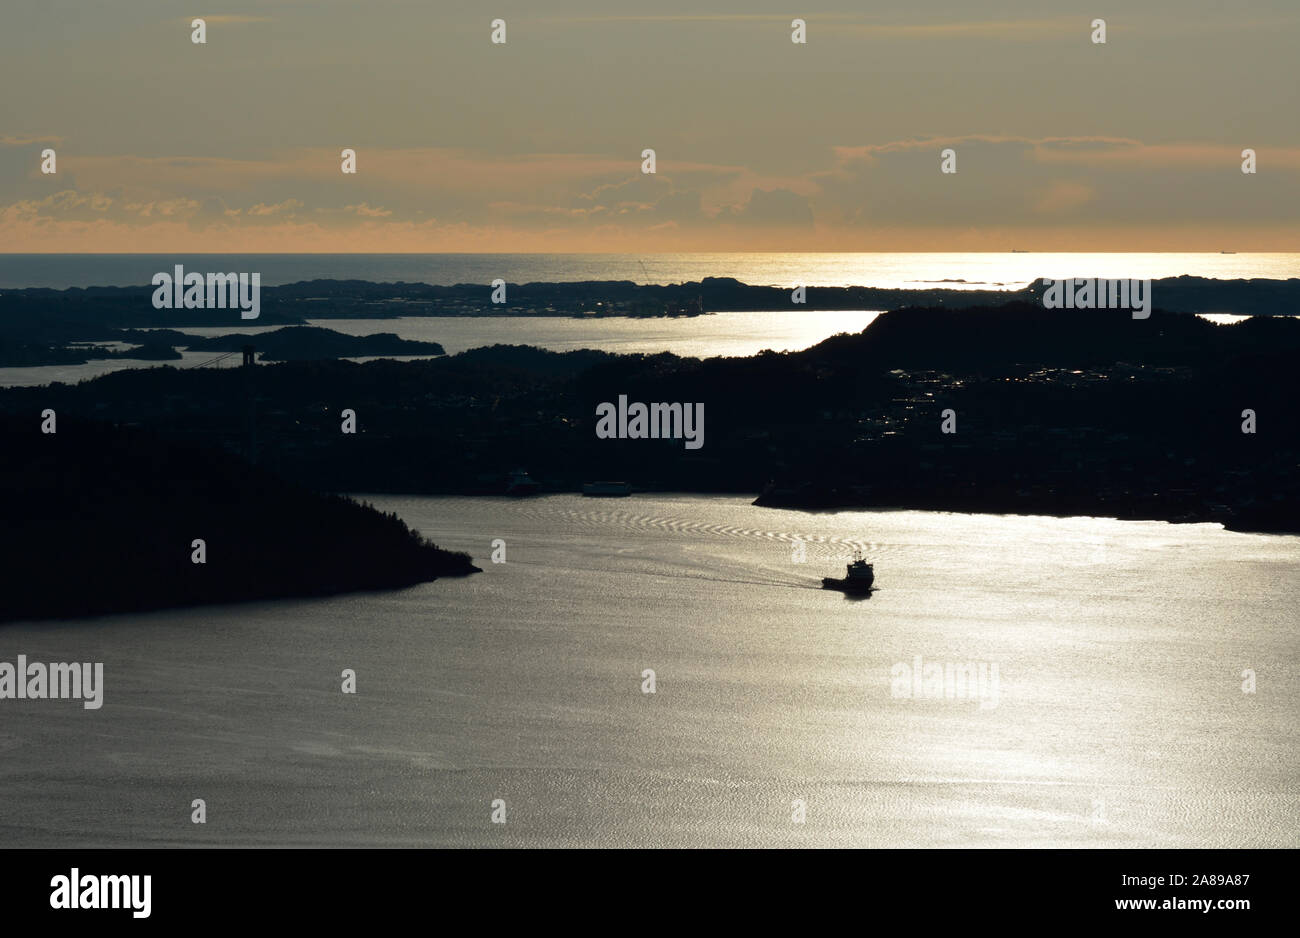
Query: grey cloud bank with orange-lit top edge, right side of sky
point(1090, 181)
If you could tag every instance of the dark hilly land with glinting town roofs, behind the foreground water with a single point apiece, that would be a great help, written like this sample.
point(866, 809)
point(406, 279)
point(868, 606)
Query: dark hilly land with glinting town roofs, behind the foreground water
point(1056, 412)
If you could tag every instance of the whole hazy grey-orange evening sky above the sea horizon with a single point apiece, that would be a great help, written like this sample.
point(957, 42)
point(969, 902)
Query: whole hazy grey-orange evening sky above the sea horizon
point(761, 144)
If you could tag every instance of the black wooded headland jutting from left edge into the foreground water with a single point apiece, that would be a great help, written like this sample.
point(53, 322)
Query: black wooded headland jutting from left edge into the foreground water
point(103, 519)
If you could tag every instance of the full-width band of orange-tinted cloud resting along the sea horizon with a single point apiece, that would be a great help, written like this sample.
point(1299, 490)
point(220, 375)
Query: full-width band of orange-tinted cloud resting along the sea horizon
point(1078, 192)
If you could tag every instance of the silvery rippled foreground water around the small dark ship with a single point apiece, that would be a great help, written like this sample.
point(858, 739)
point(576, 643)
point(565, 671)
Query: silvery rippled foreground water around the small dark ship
point(1120, 718)
